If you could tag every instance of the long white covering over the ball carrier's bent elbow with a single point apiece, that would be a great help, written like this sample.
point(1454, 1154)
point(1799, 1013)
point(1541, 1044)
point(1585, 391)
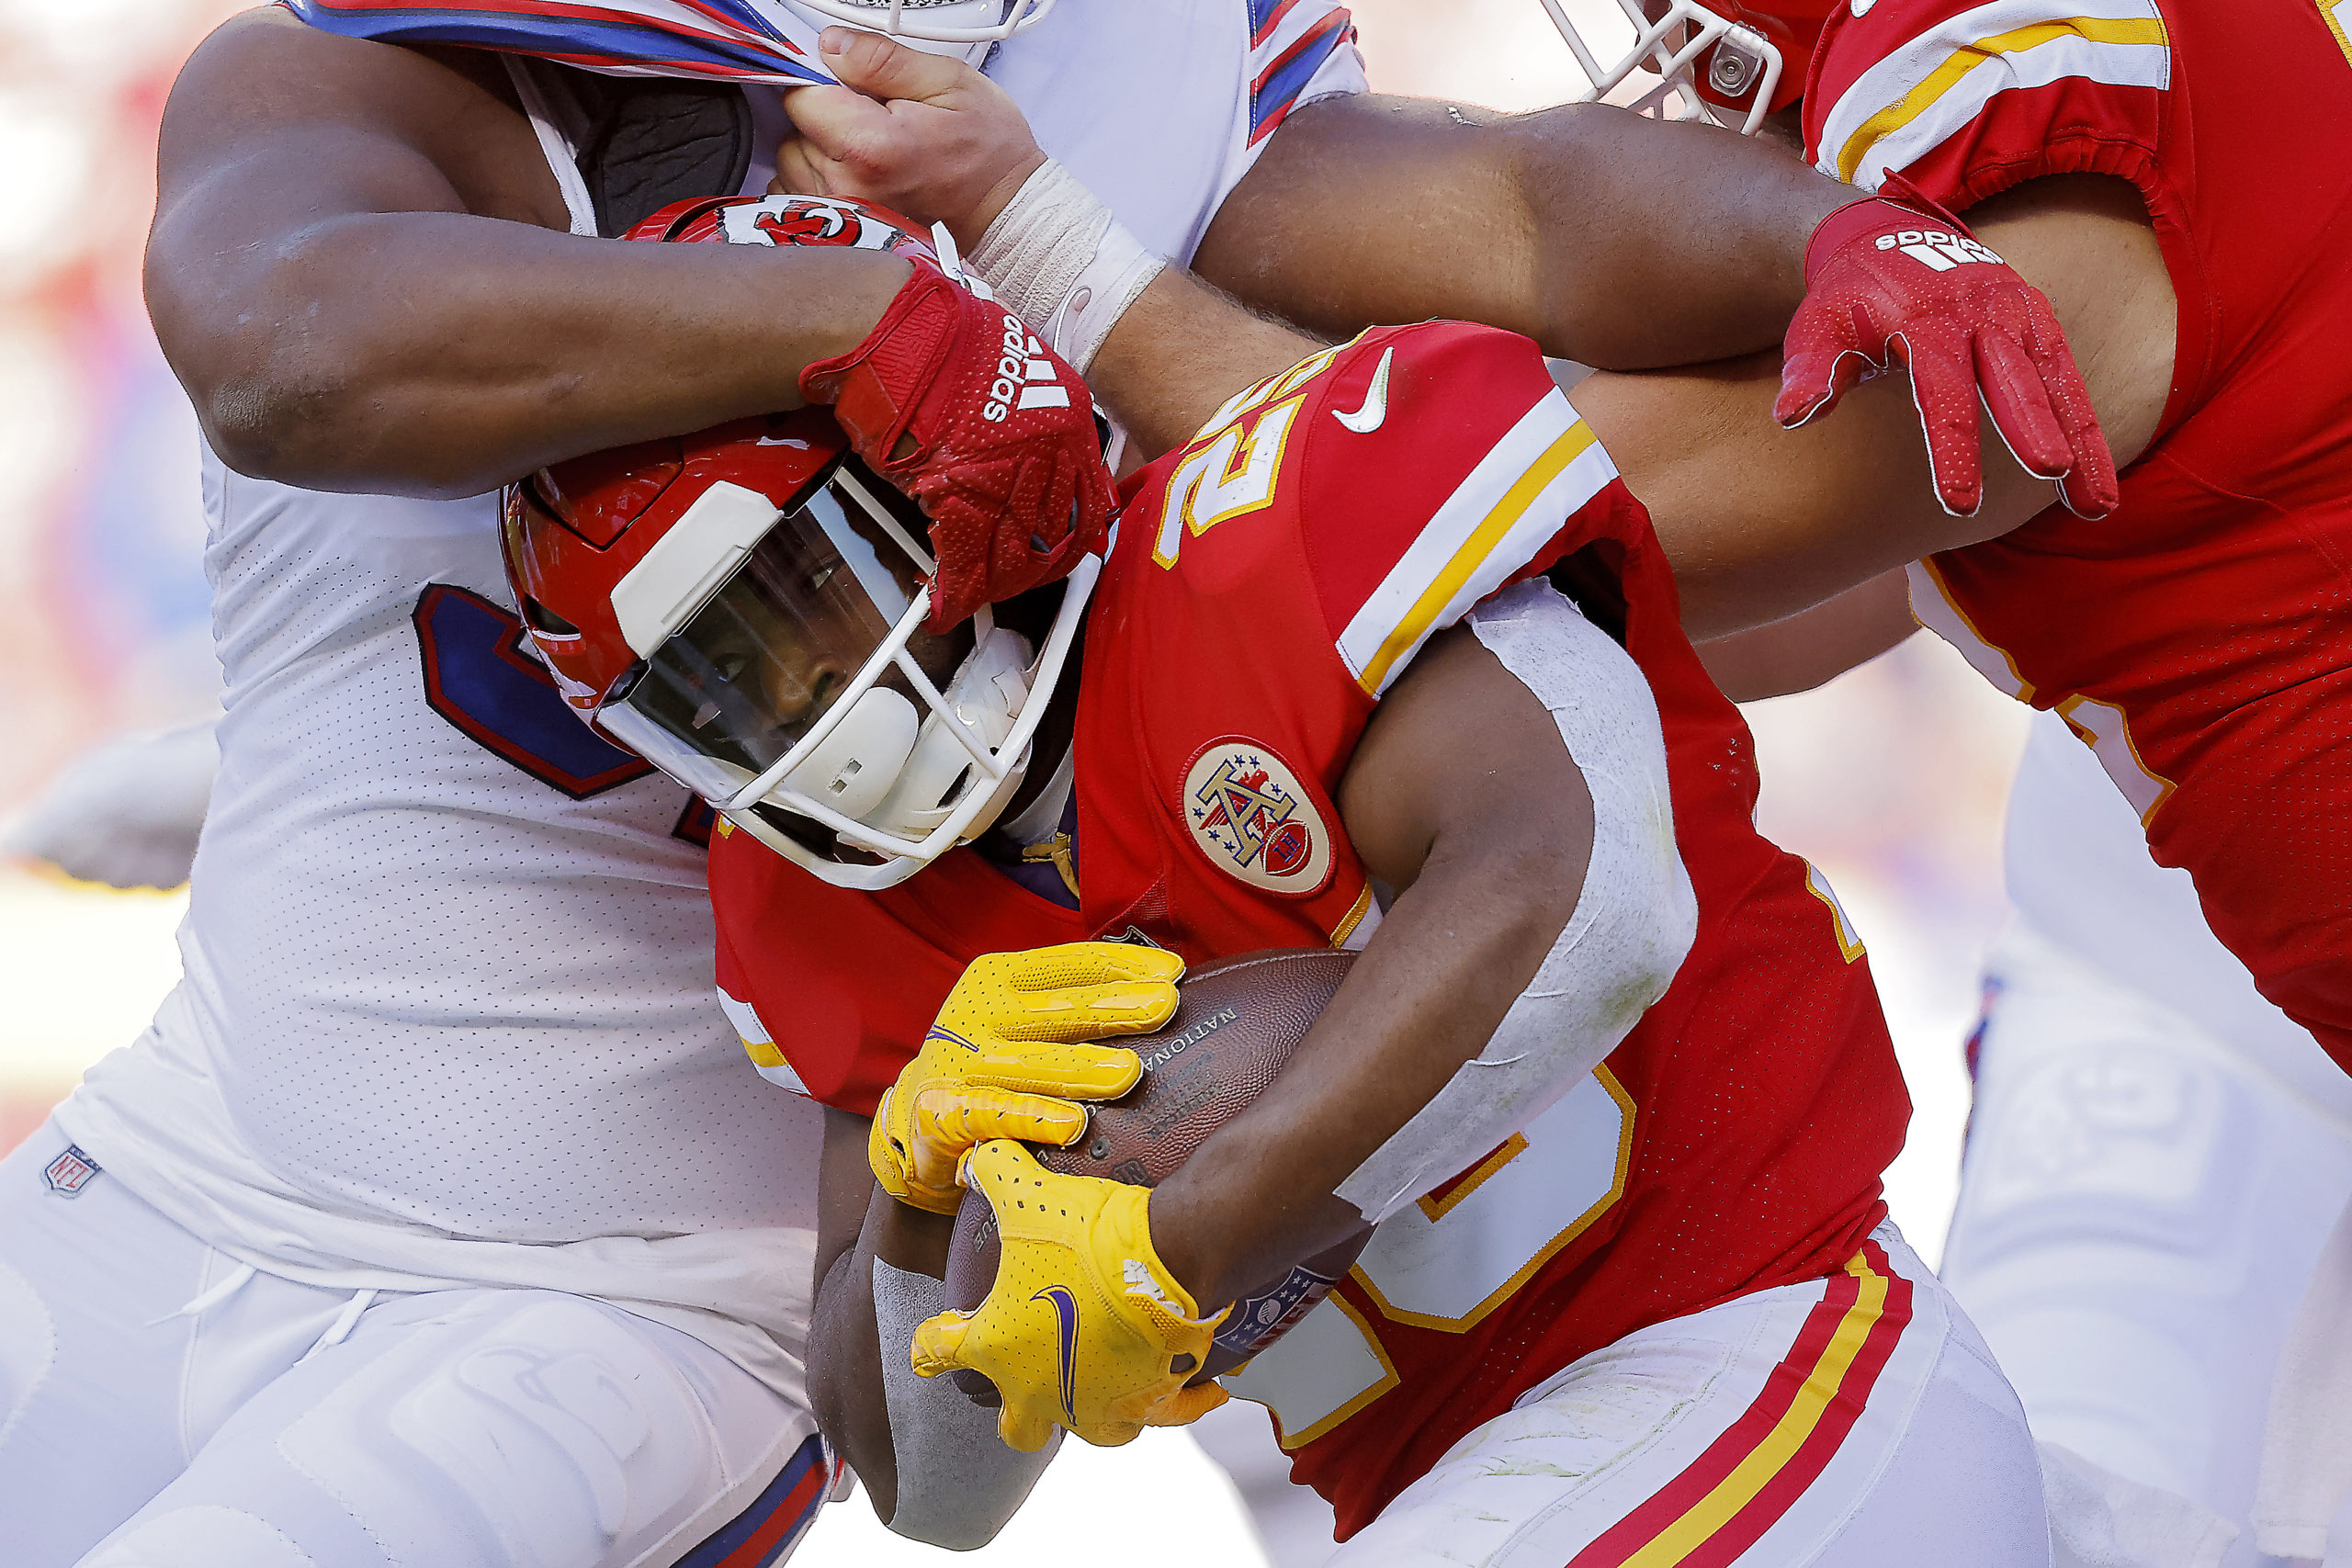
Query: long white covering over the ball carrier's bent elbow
point(1633, 925)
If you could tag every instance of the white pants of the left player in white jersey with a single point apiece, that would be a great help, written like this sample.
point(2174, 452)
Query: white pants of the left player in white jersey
point(163, 1407)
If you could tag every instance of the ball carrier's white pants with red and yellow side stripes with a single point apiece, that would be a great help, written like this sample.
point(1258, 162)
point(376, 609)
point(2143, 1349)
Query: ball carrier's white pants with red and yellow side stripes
point(1847, 1423)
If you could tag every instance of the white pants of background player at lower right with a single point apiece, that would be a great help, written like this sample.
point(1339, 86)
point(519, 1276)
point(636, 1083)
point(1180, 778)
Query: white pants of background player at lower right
point(2139, 1217)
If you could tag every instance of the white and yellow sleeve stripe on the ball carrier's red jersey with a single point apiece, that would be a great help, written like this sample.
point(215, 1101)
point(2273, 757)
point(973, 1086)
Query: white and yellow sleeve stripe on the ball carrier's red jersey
point(1490, 528)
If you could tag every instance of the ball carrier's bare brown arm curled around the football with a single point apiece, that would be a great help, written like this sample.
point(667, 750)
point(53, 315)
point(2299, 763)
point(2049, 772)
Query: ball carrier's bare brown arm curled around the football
point(1464, 798)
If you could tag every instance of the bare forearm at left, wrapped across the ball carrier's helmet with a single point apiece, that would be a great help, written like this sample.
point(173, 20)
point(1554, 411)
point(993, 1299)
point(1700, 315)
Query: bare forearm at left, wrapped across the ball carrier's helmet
point(443, 354)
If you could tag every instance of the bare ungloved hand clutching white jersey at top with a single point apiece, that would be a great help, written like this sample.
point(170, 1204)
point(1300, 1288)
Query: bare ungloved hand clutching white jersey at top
point(911, 130)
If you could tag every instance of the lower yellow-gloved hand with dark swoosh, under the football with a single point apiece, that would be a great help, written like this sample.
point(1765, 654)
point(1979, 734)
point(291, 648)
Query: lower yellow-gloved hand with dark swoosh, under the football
point(1085, 1327)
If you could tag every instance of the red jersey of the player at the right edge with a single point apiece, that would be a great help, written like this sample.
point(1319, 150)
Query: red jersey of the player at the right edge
point(2203, 636)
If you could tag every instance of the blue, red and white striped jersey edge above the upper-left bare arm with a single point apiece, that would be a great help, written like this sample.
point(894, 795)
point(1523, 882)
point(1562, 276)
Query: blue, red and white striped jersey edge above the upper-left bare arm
point(702, 39)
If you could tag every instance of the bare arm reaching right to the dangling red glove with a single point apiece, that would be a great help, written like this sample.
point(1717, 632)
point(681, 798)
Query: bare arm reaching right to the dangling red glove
point(1608, 239)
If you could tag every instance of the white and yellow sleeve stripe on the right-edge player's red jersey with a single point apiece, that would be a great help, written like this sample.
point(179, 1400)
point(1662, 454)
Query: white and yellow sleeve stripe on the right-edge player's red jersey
point(1913, 100)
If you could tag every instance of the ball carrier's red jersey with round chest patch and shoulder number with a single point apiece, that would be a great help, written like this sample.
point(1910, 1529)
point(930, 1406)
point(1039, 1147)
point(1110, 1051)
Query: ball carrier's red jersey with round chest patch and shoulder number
point(1267, 587)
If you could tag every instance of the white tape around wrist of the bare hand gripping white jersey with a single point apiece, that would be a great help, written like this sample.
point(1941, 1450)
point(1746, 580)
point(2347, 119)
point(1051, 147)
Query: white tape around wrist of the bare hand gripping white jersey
point(1064, 264)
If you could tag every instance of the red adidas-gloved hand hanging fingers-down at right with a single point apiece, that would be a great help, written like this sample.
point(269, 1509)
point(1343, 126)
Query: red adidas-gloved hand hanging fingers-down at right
point(1902, 283)
